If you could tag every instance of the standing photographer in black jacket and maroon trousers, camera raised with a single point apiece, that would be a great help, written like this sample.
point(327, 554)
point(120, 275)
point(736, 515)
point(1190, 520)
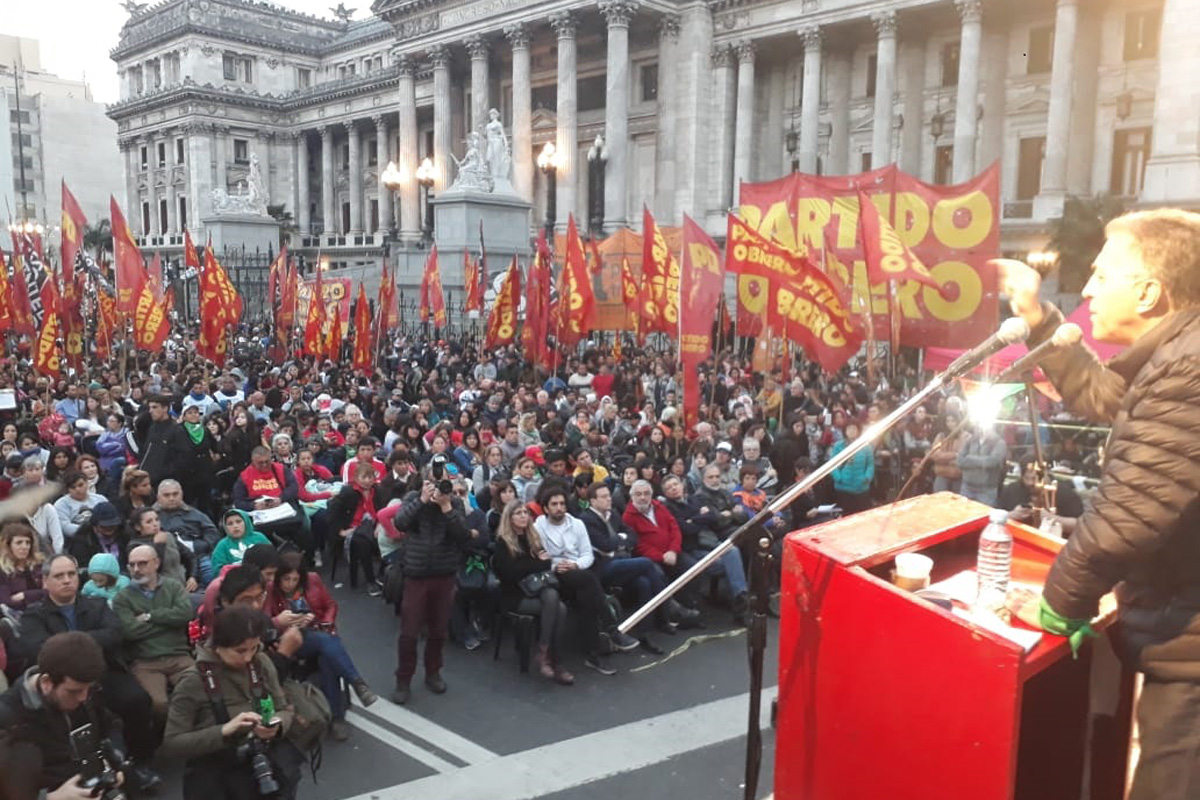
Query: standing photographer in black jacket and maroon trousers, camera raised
point(436, 533)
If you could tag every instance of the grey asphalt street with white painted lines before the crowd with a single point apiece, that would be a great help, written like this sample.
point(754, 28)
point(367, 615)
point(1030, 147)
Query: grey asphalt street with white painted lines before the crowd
point(676, 727)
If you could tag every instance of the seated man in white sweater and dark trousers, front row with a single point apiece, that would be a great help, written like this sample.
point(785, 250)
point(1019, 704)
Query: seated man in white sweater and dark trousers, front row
point(567, 543)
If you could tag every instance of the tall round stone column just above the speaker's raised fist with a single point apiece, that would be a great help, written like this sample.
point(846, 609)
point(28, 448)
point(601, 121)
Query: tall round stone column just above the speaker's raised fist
point(1063, 87)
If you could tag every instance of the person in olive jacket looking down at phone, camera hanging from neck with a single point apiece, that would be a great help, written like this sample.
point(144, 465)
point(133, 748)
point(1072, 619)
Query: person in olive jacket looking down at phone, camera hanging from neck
point(230, 717)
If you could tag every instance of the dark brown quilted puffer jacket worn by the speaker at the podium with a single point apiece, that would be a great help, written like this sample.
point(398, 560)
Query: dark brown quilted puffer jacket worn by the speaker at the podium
point(1141, 534)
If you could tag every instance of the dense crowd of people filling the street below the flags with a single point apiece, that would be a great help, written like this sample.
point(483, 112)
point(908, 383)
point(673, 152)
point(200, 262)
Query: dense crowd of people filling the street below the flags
point(187, 556)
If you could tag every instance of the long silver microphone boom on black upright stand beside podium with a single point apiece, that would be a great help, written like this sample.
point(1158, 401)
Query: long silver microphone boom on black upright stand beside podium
point(758, 590)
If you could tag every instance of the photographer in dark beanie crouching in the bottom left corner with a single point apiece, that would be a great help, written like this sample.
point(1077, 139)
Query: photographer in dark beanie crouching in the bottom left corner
point(39, 714)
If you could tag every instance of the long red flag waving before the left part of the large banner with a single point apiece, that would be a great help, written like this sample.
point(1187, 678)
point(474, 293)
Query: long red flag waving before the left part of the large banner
point(800, 299)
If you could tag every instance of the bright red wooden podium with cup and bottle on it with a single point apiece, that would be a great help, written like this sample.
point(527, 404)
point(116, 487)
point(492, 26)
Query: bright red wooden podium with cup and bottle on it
point(885, 695)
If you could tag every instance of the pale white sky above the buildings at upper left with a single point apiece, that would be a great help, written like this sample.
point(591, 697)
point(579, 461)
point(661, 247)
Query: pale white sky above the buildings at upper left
point(77, 35)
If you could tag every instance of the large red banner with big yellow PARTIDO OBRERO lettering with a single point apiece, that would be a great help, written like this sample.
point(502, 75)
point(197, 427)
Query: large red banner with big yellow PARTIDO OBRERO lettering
point(952, 230)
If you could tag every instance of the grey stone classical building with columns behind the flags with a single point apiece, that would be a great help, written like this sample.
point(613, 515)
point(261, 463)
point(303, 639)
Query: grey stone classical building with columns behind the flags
point(1071, 97)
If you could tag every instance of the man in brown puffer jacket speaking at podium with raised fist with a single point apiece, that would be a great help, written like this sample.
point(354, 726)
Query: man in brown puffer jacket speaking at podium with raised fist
point(1142, 533)
